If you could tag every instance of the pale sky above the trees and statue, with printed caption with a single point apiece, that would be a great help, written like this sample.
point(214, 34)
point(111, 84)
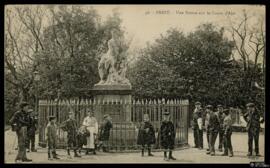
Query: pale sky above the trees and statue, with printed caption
point(146, 22)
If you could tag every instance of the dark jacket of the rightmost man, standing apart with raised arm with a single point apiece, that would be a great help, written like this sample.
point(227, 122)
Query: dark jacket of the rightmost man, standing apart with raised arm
point(253, 120)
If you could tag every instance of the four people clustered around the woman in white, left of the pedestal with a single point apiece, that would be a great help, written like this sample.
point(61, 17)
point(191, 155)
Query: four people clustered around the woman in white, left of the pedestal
point(86, 136)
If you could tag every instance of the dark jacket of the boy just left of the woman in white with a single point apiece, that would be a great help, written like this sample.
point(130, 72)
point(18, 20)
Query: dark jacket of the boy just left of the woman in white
point(70, 126)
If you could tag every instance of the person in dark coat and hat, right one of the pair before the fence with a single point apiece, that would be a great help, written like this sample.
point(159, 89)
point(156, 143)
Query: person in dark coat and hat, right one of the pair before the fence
point(167, 137)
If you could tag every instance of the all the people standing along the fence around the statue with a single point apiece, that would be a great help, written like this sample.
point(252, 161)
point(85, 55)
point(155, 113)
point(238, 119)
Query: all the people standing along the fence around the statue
point(91, 137)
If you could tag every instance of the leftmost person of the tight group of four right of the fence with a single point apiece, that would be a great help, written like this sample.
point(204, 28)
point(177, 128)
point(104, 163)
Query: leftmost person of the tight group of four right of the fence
point(197, 126)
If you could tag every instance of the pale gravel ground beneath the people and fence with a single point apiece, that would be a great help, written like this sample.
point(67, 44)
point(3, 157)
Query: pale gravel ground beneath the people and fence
point(187, 155)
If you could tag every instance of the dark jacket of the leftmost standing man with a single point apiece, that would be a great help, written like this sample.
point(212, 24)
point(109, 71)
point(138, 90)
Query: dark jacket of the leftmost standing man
point(19, 119)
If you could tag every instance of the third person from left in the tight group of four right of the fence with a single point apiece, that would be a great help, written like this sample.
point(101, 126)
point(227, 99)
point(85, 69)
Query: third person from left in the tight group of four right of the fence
point(221, 117)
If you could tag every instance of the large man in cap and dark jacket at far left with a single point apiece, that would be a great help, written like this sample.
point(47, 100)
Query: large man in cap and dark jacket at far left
point(21, 121)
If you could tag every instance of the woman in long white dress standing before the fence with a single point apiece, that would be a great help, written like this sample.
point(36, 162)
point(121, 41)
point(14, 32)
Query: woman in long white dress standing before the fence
point(92, 126)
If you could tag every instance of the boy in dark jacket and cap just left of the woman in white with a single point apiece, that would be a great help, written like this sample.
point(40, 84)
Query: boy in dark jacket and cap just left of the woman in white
point(70, 126)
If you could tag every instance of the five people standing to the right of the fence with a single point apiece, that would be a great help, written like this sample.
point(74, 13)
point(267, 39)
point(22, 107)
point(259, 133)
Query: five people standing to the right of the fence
point(220, 124)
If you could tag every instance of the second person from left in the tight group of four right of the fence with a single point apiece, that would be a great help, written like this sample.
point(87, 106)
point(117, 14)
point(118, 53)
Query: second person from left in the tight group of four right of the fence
point(213, 129)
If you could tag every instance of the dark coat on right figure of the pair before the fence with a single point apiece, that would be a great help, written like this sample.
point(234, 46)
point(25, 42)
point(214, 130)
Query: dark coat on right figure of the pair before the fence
point(167, 133)
